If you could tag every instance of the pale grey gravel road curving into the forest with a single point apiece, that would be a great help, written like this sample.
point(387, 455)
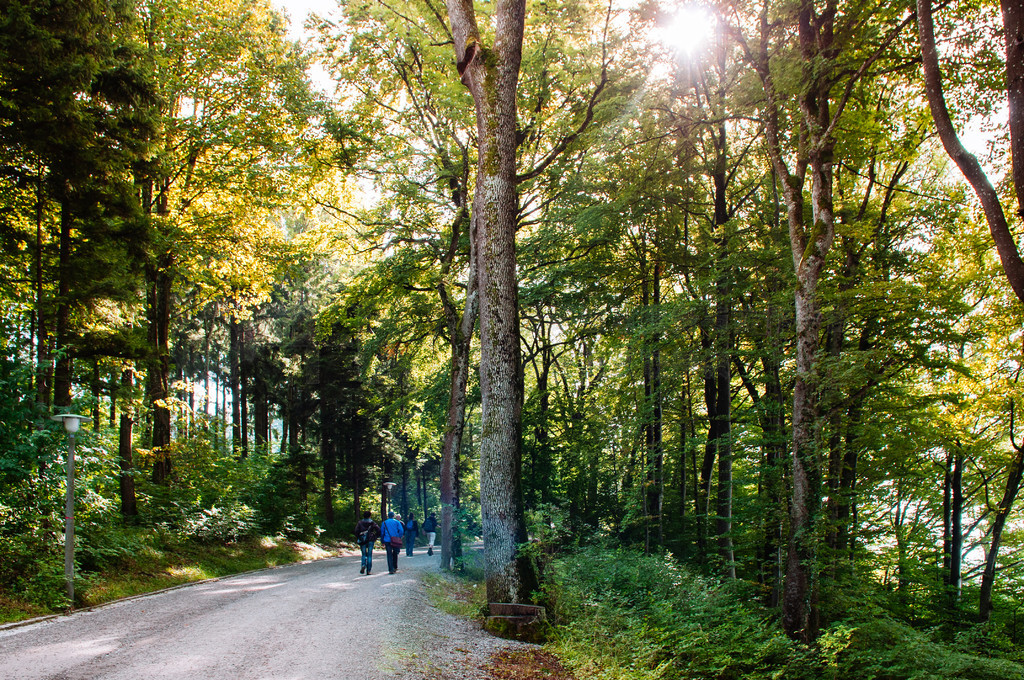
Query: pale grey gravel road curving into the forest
point(320, 620)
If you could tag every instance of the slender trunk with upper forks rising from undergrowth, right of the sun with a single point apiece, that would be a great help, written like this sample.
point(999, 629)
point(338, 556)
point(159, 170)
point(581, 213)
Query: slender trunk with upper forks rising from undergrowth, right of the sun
point(810, 245)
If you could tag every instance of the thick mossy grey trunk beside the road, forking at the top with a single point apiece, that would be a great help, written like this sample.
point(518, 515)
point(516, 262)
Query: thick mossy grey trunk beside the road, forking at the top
point(492, 76)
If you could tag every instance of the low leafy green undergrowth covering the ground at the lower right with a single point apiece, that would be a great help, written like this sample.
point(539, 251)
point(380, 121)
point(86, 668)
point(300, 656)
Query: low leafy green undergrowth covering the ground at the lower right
point(624, 616)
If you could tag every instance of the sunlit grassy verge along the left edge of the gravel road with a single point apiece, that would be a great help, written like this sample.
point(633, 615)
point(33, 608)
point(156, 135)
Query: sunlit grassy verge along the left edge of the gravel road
point(160, 565)
